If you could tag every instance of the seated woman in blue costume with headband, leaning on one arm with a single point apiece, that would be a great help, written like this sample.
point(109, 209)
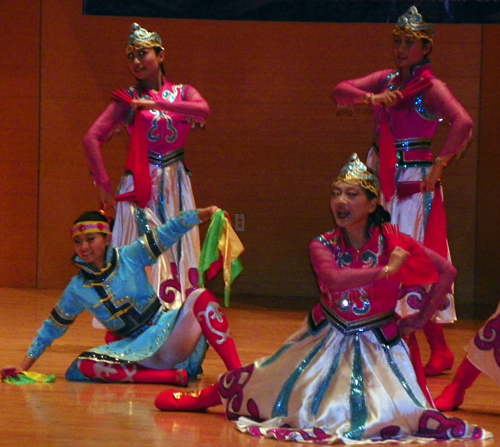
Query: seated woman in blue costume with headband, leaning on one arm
point(154, 344)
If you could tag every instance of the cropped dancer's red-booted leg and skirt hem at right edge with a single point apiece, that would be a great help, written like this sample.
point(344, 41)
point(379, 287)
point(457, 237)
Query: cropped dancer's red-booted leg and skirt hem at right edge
point(482, 356)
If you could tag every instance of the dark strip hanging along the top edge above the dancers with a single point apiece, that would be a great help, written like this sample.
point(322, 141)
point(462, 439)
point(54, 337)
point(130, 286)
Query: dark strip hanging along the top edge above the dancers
point(340, 11)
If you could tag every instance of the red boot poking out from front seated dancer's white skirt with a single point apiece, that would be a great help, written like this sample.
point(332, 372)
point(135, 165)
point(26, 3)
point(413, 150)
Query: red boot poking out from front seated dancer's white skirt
point(171, 400)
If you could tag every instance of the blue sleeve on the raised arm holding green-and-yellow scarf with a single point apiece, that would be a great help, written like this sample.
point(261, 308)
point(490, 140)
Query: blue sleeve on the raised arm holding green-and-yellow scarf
point(146, 249)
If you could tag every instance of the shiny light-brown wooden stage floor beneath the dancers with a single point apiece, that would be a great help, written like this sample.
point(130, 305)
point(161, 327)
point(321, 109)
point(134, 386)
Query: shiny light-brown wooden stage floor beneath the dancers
point(115, 415)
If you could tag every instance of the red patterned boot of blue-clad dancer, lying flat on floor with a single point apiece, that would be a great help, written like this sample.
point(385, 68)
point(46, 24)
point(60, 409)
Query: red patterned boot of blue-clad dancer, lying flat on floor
point(132, 373)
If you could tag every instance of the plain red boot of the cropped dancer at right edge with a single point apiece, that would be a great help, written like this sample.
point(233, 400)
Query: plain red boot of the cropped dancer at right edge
point(453, 395)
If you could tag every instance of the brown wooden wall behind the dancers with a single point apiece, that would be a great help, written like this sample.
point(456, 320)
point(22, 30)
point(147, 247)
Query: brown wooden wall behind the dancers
point(270, 150)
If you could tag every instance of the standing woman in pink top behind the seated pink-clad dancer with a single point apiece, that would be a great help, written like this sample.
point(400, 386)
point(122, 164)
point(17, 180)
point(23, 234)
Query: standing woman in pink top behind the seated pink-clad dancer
point(408, 104)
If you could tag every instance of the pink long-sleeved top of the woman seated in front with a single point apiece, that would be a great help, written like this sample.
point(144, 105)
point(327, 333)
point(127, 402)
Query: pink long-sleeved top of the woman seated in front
point(352, 293)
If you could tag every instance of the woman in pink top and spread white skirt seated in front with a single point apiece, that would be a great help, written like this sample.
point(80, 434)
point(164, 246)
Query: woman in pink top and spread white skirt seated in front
point(346, 375)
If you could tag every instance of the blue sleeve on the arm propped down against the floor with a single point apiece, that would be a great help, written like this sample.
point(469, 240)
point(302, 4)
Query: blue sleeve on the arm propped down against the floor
point(60, 319)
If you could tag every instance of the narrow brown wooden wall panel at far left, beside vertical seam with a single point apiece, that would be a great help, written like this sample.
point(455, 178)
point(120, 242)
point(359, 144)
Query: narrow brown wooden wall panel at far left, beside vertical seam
point(19, 141)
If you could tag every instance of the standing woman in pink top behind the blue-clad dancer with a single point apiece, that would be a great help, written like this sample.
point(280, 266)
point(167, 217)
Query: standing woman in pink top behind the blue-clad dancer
point(155, 187)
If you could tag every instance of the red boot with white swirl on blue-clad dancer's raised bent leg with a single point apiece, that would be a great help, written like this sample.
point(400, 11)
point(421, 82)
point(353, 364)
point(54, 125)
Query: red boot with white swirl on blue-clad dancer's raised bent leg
point(216, 329)
